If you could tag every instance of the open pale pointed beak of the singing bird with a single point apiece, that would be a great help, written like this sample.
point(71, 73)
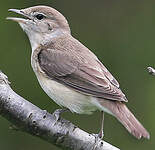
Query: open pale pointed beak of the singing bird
point(19, 20)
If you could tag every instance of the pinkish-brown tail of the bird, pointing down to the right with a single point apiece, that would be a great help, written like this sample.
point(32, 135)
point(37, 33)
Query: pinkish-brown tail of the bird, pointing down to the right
point(124, 115)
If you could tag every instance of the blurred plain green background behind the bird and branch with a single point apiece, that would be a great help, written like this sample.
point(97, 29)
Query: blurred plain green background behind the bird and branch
point(120, 33)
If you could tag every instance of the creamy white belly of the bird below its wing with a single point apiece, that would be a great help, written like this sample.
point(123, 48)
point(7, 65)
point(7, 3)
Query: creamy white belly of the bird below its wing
point(66, 97)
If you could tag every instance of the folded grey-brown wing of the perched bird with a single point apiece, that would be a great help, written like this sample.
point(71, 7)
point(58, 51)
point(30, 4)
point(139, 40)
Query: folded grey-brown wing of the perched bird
point(84, 74)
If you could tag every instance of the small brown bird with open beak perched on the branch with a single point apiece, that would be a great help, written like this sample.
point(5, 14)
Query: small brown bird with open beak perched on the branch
point(69, 72)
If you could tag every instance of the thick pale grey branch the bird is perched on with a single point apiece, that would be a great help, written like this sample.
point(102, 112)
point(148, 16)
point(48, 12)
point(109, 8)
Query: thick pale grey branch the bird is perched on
point(29, 118)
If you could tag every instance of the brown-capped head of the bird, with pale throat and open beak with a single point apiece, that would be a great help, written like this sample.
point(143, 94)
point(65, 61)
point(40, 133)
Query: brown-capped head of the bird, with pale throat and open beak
point(41, 23)
